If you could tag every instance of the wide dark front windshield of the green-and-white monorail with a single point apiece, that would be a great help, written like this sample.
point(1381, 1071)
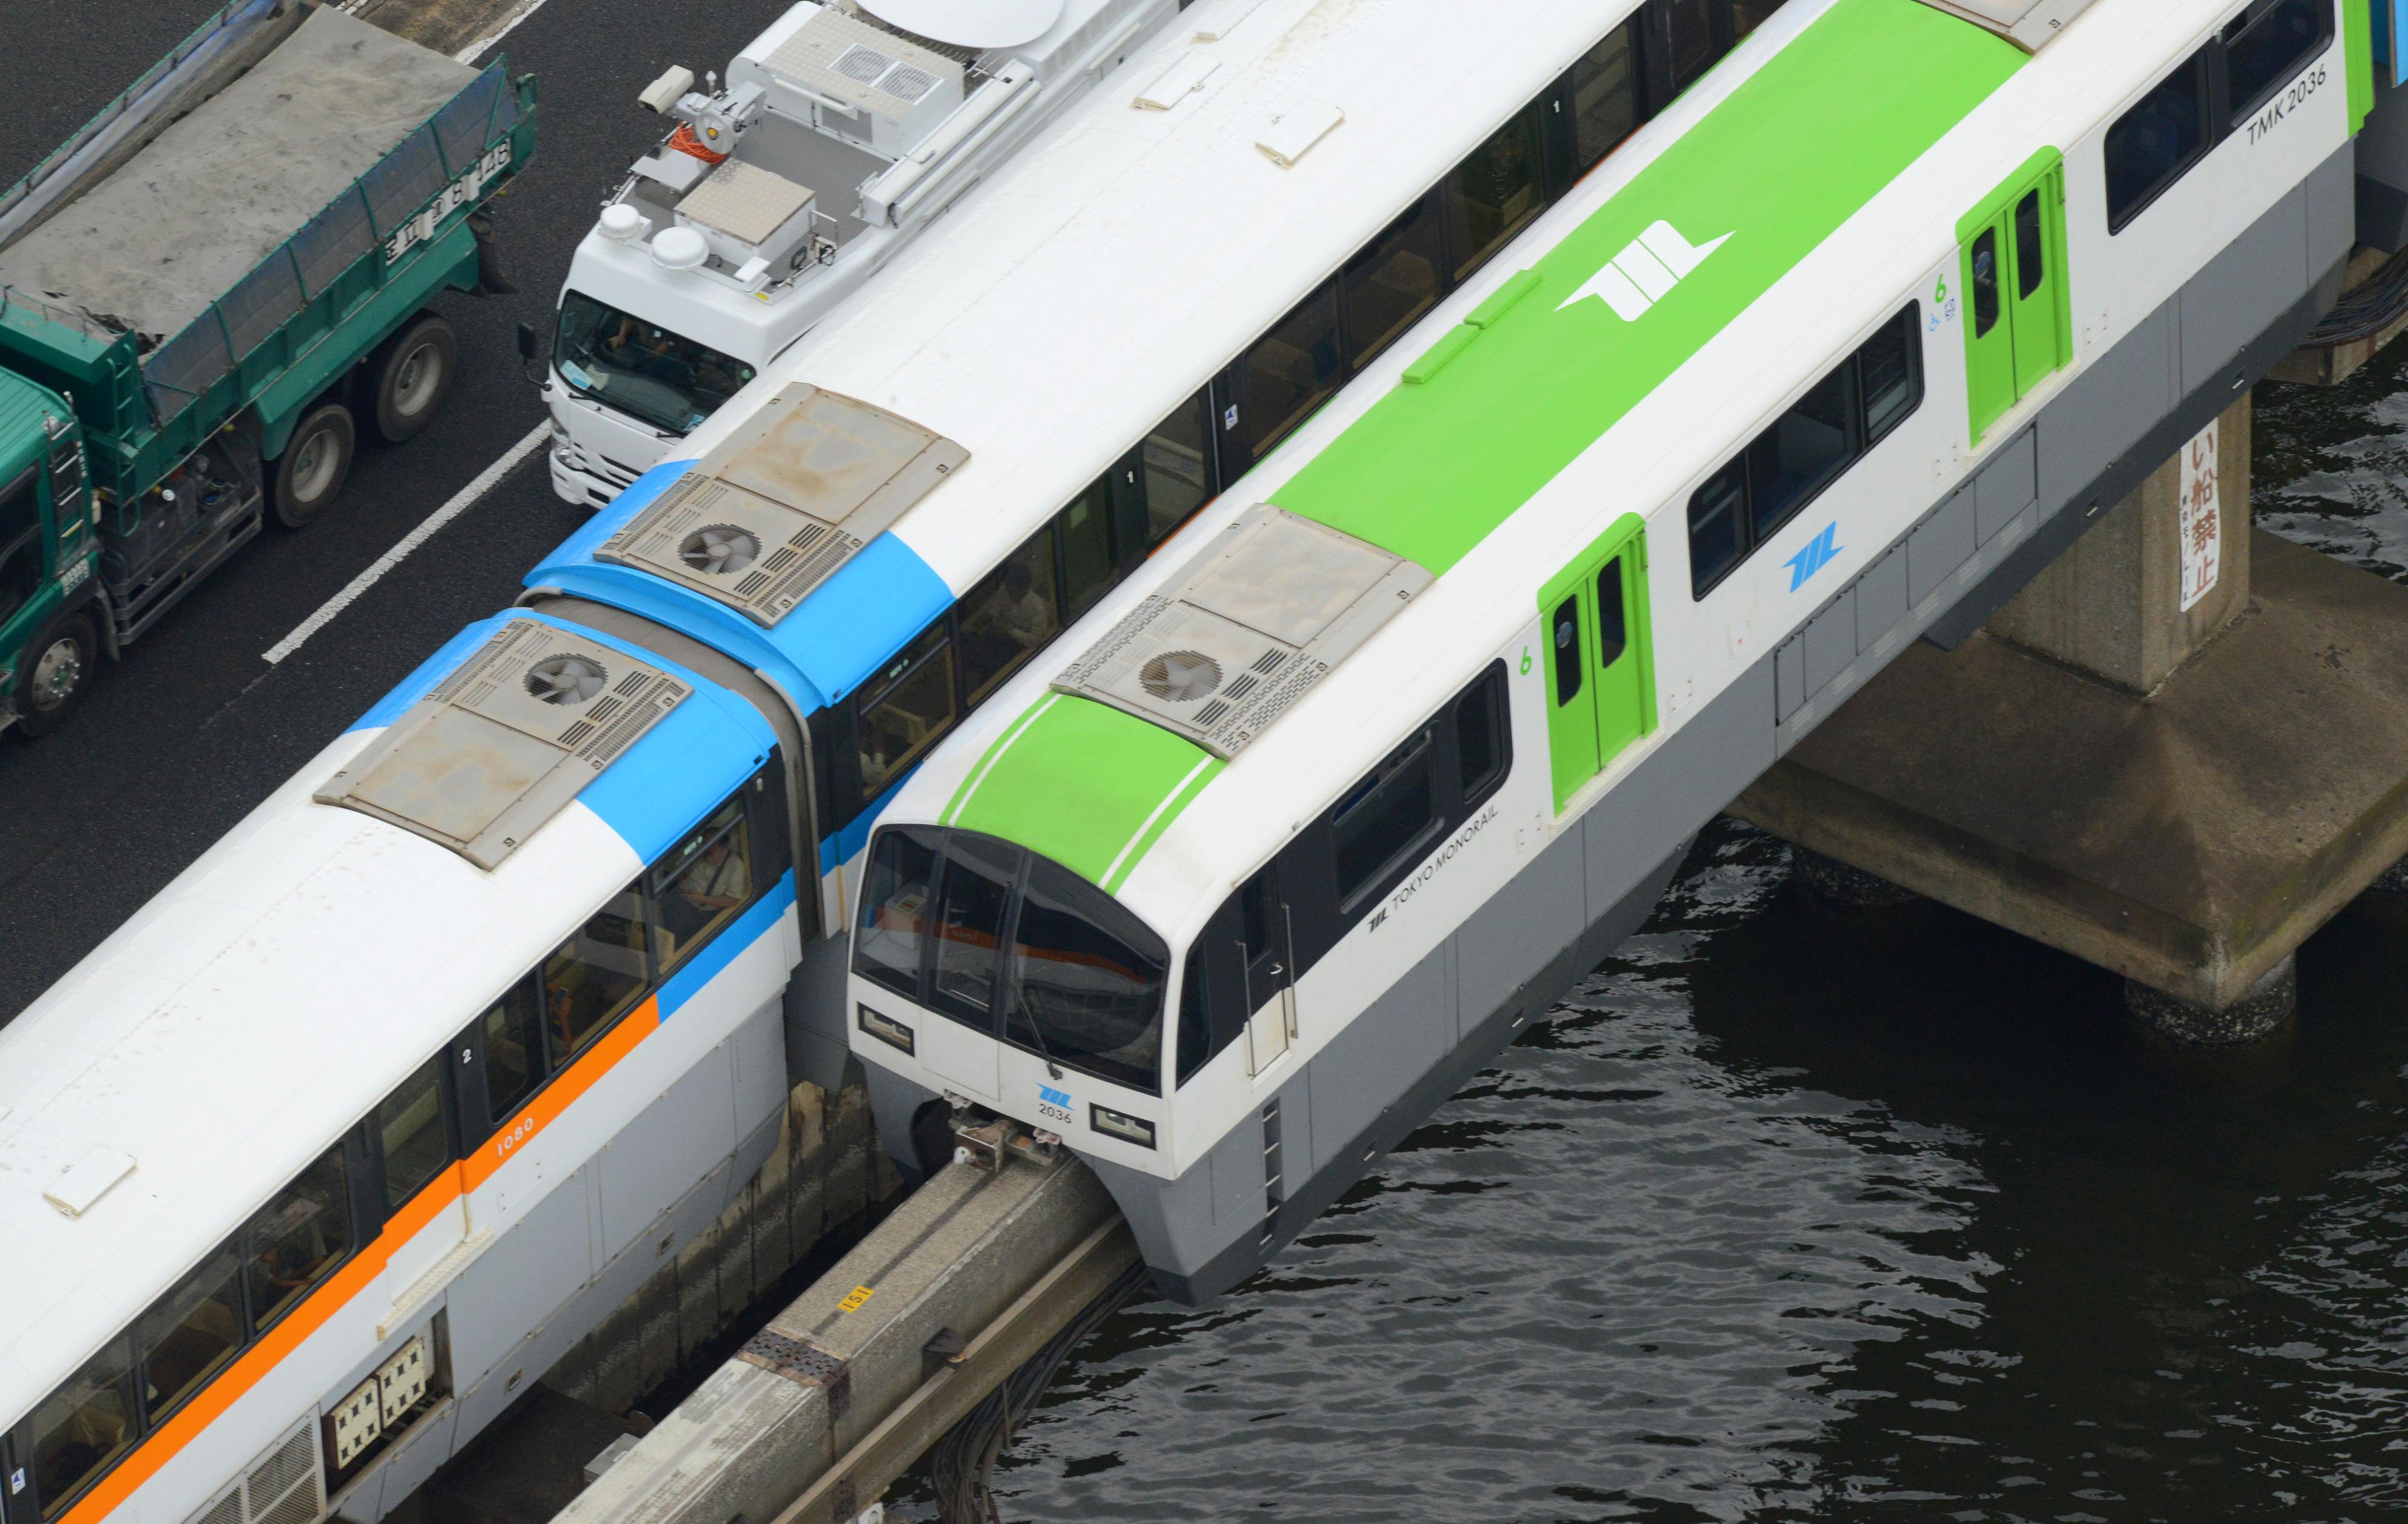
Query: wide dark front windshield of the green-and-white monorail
point(1017, 947)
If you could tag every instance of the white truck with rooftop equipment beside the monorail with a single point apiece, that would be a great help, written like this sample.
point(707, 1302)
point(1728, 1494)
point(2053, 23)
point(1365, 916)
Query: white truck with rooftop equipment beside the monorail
point(839, 134)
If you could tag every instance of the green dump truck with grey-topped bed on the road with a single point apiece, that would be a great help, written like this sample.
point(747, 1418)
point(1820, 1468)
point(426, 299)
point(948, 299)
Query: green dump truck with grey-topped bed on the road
point(208, 295)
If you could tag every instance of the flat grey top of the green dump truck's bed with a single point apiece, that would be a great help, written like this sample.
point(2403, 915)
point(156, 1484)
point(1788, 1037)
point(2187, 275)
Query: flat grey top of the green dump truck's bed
point(203, 203)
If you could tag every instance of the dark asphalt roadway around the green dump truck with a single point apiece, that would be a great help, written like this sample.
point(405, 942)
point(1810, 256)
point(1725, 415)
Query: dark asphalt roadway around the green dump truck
point(189, 733)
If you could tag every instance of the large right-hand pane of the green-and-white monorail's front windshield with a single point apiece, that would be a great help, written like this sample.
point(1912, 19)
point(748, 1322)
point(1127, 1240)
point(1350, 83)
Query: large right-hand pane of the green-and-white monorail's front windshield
point(1087, 981)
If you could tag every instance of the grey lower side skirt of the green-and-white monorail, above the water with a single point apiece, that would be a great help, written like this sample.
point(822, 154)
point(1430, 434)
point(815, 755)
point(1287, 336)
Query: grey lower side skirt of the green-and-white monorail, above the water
point(2087, 449)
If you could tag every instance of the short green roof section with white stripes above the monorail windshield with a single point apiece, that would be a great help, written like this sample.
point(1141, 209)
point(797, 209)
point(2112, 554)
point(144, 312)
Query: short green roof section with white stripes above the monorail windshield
point(1082, 784)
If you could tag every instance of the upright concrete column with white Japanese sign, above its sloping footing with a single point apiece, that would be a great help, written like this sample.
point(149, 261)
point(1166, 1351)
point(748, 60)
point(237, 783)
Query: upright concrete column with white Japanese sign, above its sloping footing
point(2156, 579)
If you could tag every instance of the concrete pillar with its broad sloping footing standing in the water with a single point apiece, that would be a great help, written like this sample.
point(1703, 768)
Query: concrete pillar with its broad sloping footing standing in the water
point(2168, 774)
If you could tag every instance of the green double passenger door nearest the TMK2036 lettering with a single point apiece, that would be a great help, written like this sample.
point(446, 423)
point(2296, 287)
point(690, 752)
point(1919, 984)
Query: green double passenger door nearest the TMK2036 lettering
point(2017, 312)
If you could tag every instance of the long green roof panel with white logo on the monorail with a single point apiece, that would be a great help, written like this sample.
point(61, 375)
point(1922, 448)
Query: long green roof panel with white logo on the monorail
point(1747, 194)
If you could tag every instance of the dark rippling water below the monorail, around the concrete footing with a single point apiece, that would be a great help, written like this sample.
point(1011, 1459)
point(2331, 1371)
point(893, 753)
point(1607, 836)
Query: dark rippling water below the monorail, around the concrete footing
point(1790, 1215)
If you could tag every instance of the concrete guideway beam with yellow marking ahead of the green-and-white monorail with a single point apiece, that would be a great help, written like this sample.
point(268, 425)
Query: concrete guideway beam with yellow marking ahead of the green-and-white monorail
point(839, 1393)
